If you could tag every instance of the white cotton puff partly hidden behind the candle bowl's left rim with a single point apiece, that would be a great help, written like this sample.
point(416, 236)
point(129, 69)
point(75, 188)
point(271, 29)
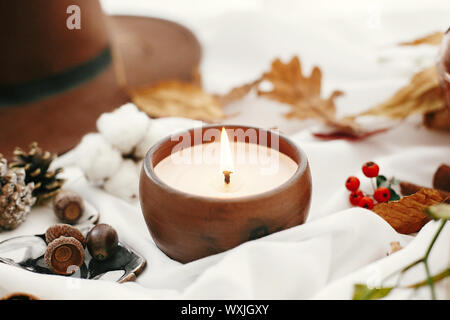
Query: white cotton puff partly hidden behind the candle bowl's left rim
point(161, 128)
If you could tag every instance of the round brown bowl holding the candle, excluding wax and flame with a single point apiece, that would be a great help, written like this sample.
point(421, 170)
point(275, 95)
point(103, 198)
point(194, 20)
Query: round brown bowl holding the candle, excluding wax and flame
point(187, 227)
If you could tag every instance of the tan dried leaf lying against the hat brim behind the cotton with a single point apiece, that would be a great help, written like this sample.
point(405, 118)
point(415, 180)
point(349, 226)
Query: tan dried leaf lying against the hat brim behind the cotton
point(177, 99)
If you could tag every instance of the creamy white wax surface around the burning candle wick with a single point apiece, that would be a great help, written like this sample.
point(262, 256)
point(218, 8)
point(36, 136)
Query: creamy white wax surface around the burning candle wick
point(197, 170)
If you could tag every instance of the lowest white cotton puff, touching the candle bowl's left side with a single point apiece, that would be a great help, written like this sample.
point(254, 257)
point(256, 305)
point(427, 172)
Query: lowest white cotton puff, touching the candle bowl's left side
point(125, 182)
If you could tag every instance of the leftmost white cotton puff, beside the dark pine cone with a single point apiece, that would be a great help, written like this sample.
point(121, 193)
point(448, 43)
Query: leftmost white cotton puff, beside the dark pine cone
point(98, 159)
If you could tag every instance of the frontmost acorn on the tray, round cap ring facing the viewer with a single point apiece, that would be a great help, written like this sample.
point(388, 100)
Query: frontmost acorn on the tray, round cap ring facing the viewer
point(64, 253)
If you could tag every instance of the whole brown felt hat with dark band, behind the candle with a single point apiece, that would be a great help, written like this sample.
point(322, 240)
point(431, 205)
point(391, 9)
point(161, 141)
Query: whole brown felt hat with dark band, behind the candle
point(56, 79)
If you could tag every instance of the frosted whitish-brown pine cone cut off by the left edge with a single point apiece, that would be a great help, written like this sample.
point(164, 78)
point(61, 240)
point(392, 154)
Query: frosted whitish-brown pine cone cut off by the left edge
point(15, 196)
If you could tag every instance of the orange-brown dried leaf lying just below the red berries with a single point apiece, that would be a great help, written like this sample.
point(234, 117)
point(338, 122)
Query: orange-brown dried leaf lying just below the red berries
point(407, 215)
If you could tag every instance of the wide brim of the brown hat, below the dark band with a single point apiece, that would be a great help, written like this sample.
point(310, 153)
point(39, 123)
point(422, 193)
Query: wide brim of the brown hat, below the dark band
point(145, 50)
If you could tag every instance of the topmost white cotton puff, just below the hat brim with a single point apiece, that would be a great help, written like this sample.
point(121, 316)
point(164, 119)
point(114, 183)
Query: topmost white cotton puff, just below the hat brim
point(124, 127)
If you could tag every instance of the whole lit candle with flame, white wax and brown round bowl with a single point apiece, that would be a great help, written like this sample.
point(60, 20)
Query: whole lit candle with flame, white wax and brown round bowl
point(206, 190)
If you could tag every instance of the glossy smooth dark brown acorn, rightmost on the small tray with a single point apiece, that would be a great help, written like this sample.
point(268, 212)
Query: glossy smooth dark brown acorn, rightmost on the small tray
point(102, 242)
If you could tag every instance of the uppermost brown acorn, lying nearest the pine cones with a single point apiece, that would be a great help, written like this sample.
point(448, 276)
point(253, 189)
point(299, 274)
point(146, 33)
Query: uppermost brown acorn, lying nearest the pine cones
point(68, 206)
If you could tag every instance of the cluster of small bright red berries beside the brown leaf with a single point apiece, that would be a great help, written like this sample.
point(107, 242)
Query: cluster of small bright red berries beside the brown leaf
point(382, 193)
